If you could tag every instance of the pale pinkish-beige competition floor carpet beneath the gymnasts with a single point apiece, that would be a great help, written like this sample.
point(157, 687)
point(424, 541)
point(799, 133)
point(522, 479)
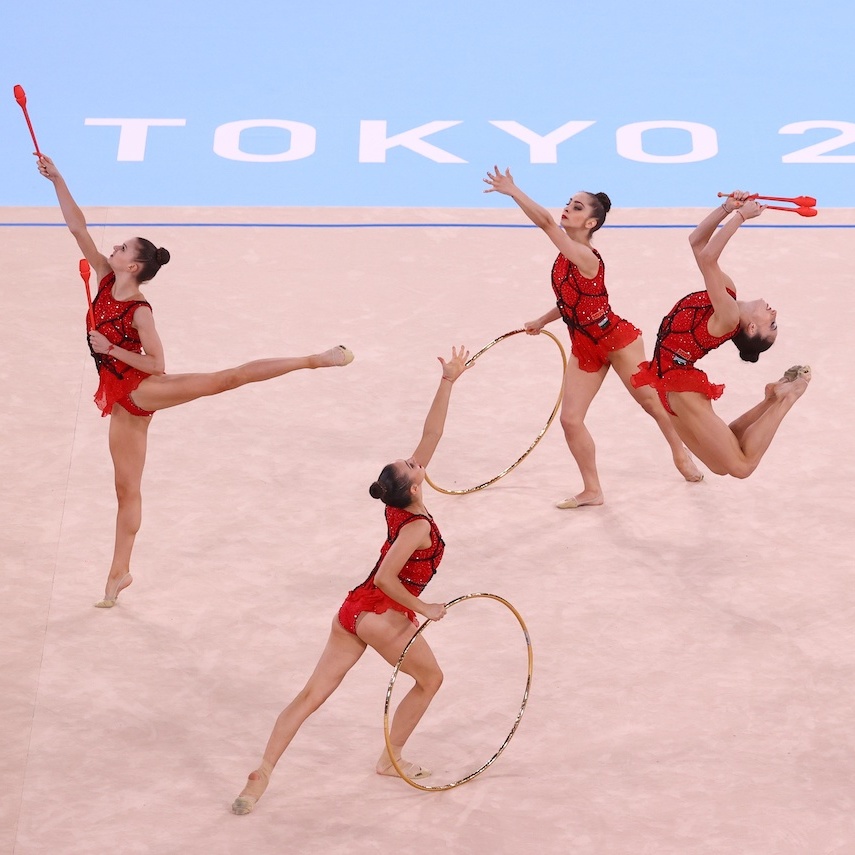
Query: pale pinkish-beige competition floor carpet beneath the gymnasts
point(694, 650)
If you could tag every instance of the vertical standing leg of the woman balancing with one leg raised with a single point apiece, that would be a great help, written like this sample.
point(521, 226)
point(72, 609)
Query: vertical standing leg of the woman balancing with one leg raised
point(128, 436)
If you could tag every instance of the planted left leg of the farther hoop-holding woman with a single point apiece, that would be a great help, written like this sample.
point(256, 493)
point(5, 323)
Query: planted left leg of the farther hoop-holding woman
point(580, 388)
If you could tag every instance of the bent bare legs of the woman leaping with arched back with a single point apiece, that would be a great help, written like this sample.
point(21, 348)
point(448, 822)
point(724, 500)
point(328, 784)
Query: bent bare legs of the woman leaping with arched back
point(717, 445)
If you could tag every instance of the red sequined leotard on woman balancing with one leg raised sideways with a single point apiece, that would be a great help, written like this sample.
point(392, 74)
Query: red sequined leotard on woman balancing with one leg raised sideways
point(114, 320)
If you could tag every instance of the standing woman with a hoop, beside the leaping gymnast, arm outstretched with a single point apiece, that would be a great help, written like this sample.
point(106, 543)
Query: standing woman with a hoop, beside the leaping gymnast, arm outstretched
point(600, 338)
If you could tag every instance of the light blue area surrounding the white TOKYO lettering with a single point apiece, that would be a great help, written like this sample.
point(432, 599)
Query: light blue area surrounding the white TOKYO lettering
point(745, 68)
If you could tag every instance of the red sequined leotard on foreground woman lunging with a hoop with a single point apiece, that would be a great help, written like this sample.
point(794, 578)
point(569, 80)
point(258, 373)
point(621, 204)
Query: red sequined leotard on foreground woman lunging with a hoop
point(415, 574)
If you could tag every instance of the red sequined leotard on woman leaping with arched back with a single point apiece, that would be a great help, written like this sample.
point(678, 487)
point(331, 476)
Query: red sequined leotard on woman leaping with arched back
point(683, 338)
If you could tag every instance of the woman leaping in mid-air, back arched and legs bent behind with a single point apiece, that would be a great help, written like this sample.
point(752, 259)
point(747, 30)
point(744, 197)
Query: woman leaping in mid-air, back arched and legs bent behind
point(699, 323)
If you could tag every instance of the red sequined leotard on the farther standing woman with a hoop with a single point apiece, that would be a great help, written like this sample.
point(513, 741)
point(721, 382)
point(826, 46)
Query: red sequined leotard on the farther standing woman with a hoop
point(595, 330)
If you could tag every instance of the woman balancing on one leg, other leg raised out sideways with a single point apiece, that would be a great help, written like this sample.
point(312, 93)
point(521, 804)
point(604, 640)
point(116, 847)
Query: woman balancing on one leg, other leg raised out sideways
point(133, 383)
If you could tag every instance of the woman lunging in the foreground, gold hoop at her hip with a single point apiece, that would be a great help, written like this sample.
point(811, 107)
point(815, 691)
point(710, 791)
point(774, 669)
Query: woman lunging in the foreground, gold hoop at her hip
point(381, 612)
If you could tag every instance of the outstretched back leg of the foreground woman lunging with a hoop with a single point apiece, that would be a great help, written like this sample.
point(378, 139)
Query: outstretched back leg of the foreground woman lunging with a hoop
point(340, 654)
